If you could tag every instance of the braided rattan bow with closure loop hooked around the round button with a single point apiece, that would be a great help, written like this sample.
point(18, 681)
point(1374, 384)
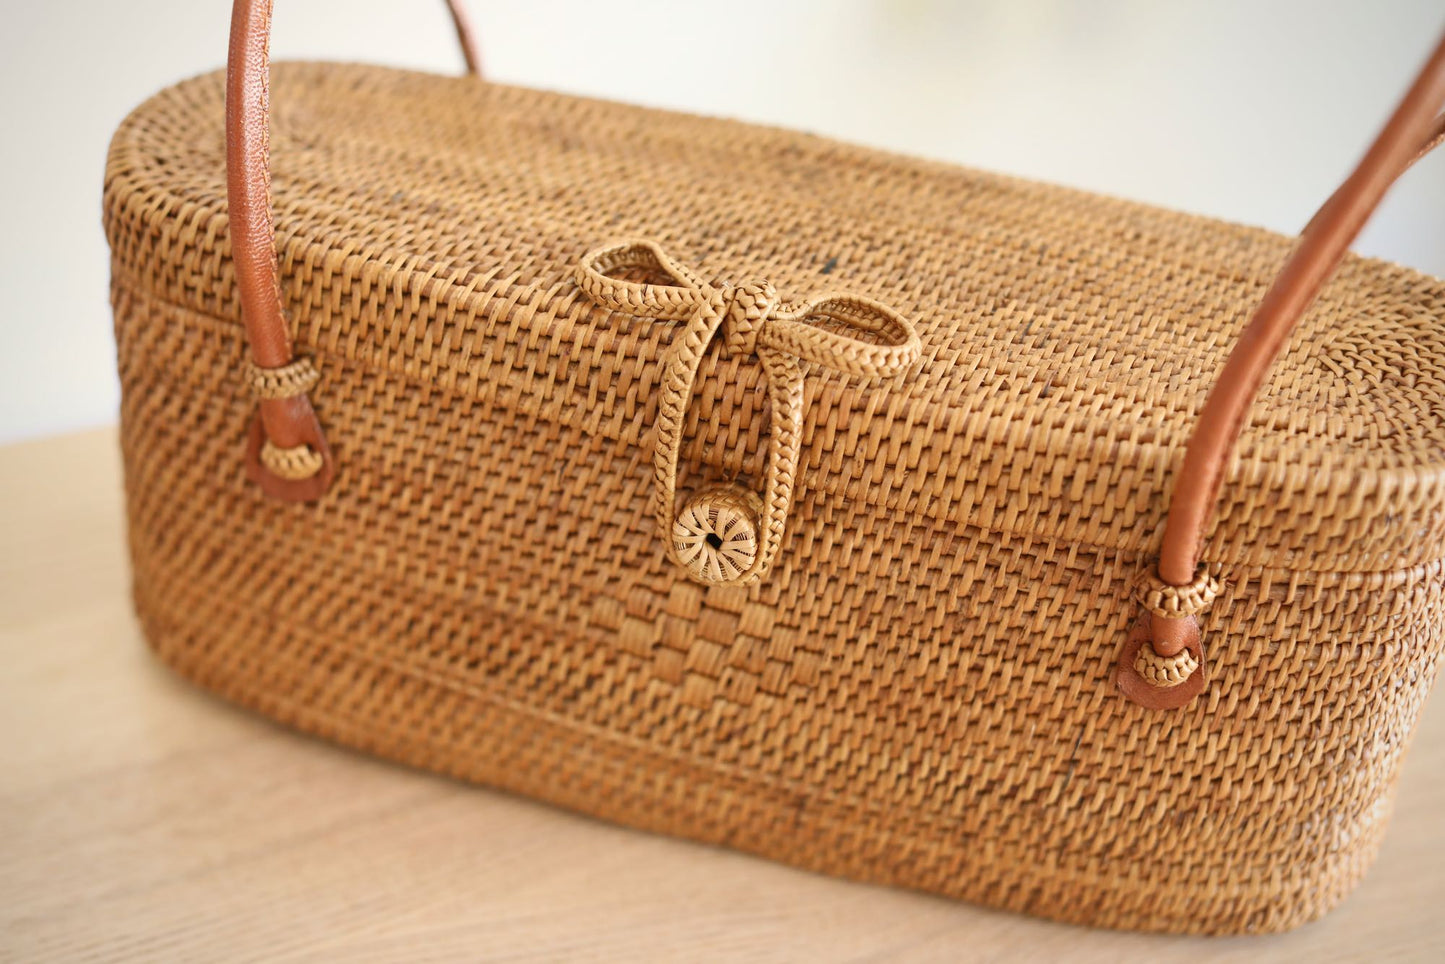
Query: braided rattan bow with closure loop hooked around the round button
point(729, 534)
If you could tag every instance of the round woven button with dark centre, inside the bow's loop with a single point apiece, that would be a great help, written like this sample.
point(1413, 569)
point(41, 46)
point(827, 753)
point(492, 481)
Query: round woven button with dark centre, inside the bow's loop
point(715, 535)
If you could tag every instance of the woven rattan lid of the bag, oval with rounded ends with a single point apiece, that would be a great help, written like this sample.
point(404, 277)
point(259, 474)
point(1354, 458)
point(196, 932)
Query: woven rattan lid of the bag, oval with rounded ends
point(433, 226)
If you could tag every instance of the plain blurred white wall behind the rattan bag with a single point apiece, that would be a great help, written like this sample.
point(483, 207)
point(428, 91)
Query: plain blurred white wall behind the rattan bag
point(1249, 111)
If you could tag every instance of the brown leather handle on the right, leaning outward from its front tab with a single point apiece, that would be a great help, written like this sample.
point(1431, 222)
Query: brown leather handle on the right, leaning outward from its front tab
point(1411, 134)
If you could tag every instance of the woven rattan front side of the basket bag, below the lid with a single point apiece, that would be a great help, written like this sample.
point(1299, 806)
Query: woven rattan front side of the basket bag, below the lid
point(904, 700)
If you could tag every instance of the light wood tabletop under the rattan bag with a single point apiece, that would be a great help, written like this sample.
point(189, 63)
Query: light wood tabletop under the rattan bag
point(141, 819)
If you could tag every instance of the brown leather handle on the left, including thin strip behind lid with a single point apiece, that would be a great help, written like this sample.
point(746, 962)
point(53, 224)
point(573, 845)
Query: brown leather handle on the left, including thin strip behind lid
point(288, 452)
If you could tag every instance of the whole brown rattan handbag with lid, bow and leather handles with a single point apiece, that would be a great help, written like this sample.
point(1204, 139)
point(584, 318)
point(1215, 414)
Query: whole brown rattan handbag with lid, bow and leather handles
point(931, 560)
